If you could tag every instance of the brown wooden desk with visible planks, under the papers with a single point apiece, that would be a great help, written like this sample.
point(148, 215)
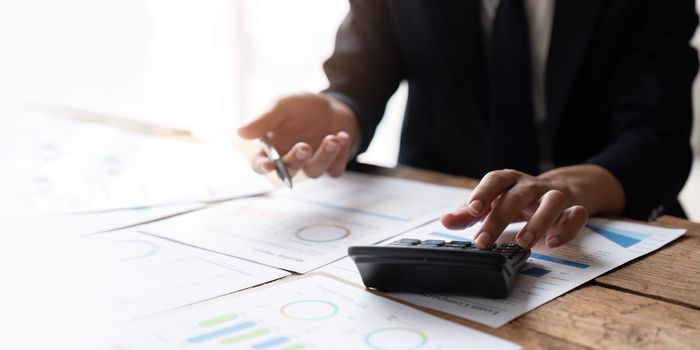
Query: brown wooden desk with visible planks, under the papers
point(652, 302)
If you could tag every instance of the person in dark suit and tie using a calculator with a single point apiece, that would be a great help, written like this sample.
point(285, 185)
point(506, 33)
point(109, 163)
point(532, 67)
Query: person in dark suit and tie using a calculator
point(566, 108)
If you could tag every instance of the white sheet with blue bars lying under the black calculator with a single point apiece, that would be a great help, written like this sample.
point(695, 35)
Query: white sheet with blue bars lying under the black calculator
point(600, 246)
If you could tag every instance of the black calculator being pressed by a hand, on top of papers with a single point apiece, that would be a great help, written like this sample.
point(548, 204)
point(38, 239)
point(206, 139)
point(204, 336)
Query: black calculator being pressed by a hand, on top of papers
point(432, 266)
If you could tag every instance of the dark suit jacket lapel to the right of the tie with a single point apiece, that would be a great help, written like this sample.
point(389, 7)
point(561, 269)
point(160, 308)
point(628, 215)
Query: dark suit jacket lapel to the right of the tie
point(574, 22)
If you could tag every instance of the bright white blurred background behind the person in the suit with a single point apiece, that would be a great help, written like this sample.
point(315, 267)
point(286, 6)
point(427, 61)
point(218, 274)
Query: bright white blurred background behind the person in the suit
point(203, 66)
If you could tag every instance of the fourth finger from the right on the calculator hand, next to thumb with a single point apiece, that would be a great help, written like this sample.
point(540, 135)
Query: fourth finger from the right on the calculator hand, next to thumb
point(490, 187)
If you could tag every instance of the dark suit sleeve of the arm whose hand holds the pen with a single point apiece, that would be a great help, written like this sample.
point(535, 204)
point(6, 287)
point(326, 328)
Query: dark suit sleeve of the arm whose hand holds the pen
point(365, 69)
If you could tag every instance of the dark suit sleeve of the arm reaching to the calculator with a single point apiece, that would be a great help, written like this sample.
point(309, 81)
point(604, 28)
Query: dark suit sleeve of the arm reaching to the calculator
point(651, 117)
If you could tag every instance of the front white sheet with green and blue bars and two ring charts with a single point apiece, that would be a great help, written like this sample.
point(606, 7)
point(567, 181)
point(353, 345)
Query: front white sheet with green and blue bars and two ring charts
point(314, 312)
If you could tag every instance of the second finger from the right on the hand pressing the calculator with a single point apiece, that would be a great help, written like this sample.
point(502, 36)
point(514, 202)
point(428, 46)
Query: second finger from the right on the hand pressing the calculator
point(552, 204)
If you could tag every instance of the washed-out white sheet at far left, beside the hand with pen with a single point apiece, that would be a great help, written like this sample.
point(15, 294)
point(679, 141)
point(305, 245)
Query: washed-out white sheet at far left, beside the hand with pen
point(57, 165)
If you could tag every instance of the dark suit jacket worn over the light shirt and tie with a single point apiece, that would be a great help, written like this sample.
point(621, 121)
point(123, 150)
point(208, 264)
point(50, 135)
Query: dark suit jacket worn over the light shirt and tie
point(618, 82)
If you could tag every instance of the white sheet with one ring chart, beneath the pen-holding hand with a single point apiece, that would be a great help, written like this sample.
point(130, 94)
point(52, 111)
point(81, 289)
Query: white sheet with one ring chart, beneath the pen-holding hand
point(311, 226)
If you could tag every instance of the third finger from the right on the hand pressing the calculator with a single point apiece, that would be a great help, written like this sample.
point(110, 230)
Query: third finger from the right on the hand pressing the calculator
point(509, 206)
